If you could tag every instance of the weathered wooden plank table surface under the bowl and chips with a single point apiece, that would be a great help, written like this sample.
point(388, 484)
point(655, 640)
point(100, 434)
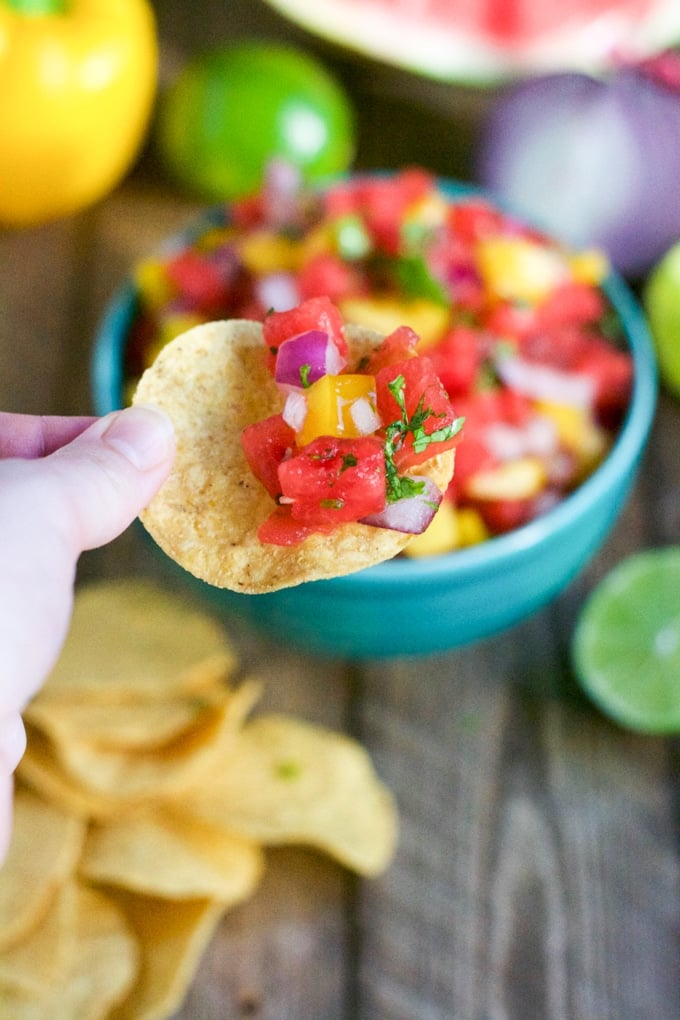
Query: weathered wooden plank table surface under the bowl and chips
point(537, 877)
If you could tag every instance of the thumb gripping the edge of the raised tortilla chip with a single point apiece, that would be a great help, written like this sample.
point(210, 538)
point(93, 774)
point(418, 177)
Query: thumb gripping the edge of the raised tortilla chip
point(104, 478)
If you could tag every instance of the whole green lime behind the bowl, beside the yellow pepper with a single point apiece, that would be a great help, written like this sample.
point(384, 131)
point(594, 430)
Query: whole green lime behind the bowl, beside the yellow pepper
point(234, 110)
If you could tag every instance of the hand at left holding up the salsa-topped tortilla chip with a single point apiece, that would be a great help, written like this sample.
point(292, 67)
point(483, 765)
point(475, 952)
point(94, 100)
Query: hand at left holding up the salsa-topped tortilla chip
point(67, 485)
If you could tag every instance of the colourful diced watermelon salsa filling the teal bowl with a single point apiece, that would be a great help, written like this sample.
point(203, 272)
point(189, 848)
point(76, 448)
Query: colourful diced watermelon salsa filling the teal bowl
point(517, 328)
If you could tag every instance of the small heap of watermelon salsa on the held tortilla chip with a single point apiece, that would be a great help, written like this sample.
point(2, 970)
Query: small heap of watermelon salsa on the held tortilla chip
point(343, 447)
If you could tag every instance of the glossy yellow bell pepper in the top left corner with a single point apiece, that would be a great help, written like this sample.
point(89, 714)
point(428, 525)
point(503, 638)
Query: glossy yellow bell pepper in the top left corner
point(78, 81)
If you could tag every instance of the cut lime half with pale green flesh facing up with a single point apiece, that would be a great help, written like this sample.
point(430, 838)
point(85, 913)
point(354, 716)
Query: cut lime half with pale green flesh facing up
point(626, 647)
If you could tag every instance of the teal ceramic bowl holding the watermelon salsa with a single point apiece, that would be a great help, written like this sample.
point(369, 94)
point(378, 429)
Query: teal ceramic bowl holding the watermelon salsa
point(411, 607)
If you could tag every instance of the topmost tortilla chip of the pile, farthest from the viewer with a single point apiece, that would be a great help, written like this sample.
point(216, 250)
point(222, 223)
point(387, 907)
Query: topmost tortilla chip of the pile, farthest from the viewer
point(130, 639)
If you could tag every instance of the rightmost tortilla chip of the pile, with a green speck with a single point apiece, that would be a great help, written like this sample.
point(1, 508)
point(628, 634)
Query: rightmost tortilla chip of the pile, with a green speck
point(289, 782)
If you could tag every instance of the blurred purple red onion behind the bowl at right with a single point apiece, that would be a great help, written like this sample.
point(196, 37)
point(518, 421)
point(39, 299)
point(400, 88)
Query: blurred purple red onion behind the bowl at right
point(595, 163)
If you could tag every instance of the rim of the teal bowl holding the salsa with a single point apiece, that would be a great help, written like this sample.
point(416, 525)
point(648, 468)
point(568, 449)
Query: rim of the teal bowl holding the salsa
point(108, 387)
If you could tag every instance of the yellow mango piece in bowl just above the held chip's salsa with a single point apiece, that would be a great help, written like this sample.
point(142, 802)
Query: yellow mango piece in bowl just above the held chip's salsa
point(385, 316)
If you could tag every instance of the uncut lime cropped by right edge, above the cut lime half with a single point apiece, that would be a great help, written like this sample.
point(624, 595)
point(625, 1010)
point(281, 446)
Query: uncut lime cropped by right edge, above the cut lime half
point(662, 304)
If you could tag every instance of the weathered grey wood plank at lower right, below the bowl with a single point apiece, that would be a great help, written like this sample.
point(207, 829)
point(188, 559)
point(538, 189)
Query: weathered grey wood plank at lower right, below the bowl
point(538, 874)
